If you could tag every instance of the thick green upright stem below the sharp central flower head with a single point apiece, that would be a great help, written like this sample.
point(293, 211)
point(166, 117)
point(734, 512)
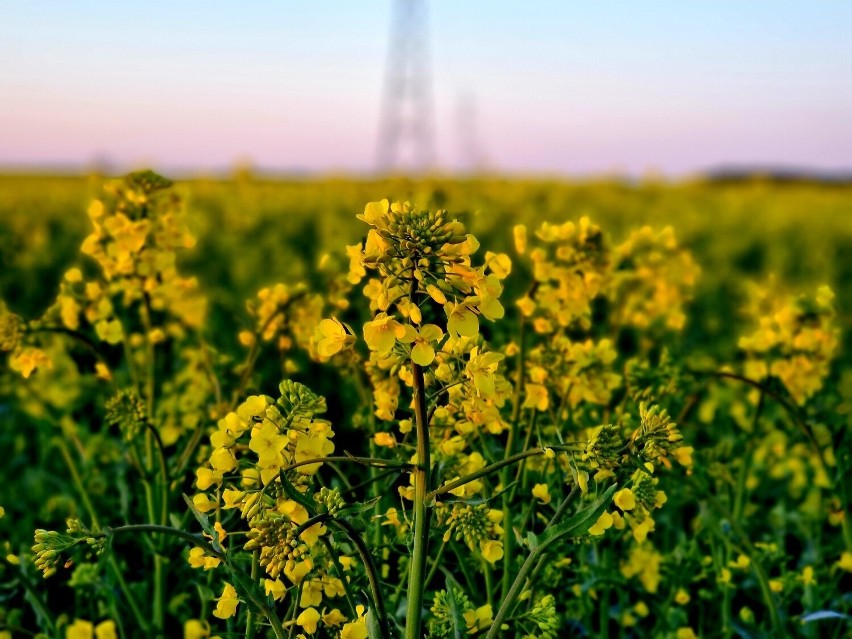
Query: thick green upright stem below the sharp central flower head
point(417, 565)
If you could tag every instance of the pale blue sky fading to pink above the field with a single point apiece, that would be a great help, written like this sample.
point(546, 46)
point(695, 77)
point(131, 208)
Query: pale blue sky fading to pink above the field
point(556, 87)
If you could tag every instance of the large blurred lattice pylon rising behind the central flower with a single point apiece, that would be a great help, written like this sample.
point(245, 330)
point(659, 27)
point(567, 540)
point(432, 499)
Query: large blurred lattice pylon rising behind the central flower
point(406, 135)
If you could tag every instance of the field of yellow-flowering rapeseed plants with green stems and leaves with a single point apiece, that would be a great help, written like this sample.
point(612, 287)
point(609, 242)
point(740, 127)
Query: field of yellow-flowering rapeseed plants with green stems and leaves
point(438, 407)
